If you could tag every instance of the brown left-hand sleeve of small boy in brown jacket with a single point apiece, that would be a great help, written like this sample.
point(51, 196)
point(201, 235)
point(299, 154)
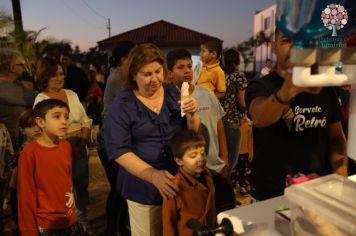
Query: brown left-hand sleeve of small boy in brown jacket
point(169, 217)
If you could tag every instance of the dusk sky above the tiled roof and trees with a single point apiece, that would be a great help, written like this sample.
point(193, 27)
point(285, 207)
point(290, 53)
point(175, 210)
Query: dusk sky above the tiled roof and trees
point(84, 22)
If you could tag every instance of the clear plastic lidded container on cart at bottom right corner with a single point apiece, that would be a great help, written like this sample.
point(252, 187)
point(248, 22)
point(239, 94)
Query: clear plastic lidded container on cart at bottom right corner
point(323, 206)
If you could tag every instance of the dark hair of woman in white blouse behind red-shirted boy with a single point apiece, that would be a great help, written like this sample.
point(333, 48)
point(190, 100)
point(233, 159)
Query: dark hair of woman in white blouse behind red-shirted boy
point(45, 69)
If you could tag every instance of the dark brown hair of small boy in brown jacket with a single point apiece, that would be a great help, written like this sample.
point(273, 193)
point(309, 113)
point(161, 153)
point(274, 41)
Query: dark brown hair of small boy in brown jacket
point(185, 140)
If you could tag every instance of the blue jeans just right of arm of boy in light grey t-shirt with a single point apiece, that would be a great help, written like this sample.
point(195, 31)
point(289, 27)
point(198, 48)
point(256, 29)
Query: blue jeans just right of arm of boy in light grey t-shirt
point(233, 139)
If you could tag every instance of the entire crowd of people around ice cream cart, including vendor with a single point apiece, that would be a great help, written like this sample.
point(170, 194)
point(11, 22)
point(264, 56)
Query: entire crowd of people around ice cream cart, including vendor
point(176, 144)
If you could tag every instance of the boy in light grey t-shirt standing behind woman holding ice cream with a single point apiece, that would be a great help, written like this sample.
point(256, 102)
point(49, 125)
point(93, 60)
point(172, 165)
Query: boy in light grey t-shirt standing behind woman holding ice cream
point(211, 112)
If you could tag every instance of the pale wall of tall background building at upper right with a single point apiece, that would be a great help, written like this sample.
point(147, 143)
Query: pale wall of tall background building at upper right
point(264, 20)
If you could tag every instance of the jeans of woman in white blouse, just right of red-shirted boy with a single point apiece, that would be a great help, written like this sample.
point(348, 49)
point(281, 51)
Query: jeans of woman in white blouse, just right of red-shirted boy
point(80, 177)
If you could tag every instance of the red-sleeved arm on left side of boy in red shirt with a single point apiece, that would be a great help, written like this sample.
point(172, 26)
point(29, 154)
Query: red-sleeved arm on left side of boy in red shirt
point(27, 194)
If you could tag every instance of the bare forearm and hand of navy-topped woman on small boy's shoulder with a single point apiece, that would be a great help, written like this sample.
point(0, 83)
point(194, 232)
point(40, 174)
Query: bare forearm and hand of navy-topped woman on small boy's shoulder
point(161, 179)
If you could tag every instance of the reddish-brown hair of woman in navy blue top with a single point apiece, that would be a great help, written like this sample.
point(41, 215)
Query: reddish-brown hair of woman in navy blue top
point(140, 56)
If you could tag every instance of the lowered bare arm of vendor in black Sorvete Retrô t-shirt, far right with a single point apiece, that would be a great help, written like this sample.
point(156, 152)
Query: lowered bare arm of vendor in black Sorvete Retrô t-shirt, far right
point(338, 157)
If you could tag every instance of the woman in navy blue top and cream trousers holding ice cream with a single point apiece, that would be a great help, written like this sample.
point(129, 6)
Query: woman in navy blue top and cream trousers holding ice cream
point(137, 130)
